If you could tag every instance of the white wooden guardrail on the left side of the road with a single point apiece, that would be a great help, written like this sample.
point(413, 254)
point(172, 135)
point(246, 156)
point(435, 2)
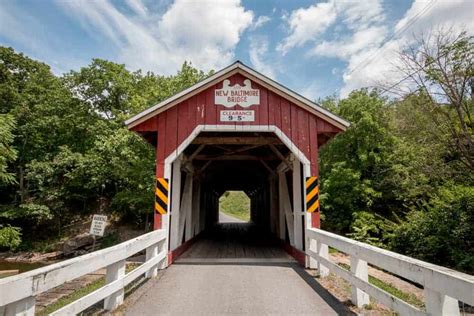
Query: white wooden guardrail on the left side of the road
point(17, 293)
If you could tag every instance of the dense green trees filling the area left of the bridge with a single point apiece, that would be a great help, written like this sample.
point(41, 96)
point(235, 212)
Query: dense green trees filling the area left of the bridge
point(65, 152)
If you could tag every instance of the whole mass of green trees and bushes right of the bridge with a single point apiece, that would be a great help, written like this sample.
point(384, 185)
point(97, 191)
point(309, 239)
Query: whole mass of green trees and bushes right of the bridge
point(401, 176)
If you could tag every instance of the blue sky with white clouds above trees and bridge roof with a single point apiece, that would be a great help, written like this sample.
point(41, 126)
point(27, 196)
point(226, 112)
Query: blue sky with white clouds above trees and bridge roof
point(317, 48)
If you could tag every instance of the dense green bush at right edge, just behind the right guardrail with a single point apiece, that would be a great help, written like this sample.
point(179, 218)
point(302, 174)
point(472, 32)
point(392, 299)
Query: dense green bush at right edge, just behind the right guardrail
point(441, 232)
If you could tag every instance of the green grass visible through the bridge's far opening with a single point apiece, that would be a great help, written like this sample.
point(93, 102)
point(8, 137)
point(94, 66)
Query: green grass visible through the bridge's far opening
point(235, 204)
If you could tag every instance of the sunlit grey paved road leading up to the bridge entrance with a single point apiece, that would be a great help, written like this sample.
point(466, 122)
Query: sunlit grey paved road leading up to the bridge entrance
point(252, 288)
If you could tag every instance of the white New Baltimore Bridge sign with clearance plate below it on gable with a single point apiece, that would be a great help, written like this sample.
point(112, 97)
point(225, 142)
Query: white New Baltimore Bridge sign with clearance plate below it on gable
point(243, 96)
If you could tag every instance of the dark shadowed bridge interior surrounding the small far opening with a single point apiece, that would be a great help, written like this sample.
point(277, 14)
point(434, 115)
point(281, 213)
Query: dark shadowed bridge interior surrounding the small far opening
point(240, 162)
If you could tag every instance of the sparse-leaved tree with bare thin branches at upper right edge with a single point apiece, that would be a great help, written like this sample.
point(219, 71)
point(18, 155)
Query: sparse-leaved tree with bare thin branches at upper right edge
point(440, 66)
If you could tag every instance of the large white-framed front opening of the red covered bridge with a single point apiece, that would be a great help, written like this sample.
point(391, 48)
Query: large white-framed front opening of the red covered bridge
point(251, 176)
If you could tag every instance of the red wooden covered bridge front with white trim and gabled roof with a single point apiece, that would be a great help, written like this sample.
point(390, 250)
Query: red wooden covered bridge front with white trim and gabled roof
point(237, 130)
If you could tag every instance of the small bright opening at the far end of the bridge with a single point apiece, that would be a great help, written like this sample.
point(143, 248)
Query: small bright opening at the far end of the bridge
point(234, 207)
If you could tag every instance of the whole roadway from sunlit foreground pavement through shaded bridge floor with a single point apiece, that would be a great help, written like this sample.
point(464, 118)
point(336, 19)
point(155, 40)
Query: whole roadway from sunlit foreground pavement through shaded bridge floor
point(225, 273)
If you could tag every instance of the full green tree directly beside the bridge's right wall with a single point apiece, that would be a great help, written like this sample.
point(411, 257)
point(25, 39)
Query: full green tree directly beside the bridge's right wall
point(361, 169)
